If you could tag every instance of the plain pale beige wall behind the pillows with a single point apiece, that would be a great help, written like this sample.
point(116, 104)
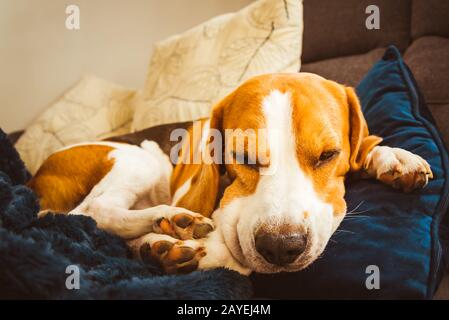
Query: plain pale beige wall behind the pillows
point(40, 58)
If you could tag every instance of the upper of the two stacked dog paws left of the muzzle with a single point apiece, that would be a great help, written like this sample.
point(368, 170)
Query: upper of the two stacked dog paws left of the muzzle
point(183, 224)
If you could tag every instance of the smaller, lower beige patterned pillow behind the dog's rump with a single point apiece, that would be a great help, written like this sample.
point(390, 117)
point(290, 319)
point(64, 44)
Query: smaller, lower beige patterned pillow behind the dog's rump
point(92, 110)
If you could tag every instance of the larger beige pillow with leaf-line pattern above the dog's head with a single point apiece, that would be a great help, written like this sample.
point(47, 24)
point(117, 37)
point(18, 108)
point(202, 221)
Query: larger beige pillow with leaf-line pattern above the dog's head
point(190, 72)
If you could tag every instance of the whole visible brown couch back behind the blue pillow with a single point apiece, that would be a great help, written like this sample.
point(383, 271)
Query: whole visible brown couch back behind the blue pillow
point(338, 46)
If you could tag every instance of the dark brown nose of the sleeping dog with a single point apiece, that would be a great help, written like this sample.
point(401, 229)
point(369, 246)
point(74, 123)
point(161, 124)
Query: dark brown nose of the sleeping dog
point(280, 249)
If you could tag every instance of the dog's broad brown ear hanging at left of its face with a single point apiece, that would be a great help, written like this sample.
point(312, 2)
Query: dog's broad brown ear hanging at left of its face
point(201, 197)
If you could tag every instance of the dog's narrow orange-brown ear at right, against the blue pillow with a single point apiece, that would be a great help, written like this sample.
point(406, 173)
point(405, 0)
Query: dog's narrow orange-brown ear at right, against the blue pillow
point(361, 141)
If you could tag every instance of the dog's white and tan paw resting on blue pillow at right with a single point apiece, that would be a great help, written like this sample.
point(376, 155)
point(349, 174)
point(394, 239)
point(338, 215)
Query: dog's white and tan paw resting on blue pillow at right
point(398, 168)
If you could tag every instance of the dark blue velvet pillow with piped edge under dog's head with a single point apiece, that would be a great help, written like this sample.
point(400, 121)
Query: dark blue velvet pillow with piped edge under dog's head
point(402, 234)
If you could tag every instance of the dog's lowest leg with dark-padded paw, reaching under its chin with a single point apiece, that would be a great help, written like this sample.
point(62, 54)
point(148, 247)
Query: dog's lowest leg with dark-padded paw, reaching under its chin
point(182, 256)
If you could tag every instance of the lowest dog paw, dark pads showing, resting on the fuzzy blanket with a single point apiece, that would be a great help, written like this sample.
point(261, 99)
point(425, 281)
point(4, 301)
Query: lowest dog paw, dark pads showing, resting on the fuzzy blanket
point(174, 256)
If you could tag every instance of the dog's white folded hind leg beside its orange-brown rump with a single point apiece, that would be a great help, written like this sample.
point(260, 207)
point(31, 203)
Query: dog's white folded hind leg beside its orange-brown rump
point(140, 178)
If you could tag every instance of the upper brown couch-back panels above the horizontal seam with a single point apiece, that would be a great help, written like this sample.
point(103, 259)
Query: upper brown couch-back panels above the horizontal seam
point(335, 28)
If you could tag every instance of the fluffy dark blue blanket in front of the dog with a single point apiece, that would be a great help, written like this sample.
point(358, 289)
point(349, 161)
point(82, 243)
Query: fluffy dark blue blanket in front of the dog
point(35, 253)
